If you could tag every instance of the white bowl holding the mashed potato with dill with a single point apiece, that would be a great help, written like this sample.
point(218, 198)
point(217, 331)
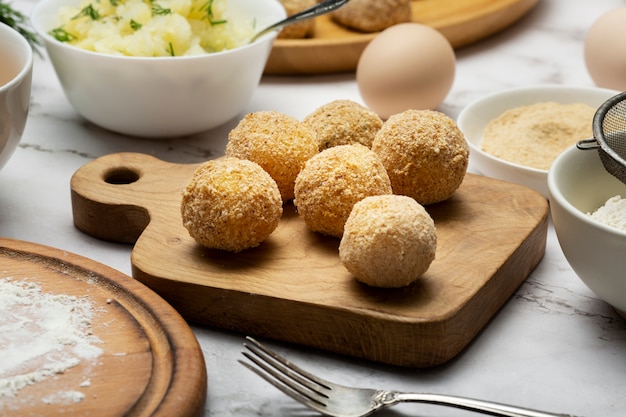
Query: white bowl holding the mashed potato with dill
point(160, 96)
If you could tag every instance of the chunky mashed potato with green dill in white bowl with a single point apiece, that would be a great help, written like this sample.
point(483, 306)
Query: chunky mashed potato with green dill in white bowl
point(152, 28)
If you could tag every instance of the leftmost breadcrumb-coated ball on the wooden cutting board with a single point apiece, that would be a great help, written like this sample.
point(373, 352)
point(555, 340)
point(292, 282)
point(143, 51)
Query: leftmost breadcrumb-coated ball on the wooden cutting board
point(231, 204)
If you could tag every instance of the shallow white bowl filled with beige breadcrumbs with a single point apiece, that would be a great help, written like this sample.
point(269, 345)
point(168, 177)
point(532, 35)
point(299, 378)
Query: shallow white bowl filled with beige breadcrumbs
point(516, 134)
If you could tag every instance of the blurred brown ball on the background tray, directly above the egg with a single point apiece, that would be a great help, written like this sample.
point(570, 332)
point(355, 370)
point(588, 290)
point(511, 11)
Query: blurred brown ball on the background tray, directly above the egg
point(372, 15)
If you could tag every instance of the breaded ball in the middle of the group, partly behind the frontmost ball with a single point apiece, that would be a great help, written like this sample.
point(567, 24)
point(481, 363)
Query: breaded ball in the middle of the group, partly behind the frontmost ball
point(333, 181)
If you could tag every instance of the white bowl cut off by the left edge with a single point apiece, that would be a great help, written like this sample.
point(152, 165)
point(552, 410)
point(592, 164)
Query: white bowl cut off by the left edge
point(16, 70)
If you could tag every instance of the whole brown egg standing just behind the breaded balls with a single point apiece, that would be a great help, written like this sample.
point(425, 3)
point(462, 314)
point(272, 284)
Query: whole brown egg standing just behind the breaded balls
point(407, 66)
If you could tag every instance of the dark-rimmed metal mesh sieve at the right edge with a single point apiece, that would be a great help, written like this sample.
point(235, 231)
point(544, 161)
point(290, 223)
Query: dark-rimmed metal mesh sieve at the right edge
point(609, 131)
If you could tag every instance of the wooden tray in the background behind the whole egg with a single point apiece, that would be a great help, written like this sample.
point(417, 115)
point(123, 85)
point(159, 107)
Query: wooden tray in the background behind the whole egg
point(334, 48)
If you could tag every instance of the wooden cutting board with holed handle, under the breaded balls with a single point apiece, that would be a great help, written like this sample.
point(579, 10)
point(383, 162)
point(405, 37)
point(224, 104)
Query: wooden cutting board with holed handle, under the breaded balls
point(293, 287)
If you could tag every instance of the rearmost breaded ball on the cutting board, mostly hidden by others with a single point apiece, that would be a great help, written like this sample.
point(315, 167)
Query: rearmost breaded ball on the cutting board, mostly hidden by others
point(343, 122)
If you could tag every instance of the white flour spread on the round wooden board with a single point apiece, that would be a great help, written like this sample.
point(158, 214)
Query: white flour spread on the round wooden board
point(42, 335)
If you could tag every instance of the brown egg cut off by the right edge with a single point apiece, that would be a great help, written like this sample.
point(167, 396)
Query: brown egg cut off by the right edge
point(605, 50)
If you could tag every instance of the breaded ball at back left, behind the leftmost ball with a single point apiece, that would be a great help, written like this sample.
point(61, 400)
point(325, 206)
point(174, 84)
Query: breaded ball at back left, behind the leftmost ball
point(279, 143)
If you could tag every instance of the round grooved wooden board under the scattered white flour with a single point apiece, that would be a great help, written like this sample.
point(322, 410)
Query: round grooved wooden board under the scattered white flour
point(151, 363)
